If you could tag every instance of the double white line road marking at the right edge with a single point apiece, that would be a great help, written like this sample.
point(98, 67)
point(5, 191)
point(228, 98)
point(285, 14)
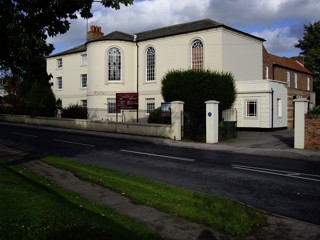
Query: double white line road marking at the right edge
point(311, 177)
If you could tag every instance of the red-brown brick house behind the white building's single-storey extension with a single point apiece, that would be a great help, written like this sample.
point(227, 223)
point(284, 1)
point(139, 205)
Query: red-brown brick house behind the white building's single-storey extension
point(298, 78)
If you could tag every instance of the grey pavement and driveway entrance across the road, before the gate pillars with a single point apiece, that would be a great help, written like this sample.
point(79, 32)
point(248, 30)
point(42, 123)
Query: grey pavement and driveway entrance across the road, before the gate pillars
point(278, 143)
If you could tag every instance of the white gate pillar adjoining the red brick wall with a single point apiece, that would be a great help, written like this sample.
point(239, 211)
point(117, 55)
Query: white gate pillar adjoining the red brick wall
point(300, 108)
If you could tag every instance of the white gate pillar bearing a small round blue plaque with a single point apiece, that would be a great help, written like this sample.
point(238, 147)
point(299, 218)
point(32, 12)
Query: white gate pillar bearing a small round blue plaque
point(212, 121)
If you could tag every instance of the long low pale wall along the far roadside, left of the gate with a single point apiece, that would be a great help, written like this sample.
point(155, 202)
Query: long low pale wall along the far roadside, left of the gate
point(155, 130)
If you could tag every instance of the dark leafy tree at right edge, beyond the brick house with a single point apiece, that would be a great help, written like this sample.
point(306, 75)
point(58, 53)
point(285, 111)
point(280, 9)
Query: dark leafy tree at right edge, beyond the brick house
point(310, 49)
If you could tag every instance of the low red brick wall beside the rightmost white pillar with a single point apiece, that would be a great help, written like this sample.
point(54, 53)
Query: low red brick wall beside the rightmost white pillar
point(312, 132)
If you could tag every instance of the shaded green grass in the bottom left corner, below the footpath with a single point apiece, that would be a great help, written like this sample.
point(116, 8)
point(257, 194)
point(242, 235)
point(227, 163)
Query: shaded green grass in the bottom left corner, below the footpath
point(33, 208)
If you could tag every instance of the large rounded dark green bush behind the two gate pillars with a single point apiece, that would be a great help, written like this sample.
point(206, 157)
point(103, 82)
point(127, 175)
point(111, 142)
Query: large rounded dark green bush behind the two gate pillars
point(195, 87)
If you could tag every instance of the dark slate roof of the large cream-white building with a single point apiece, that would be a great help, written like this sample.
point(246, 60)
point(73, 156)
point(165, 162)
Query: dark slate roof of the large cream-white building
point(177, 29)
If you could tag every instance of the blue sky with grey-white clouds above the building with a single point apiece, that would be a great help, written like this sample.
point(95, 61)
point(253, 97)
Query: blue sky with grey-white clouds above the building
point(280, 22)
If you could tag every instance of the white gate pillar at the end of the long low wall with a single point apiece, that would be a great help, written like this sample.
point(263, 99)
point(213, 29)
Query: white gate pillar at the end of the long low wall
point(176, 119)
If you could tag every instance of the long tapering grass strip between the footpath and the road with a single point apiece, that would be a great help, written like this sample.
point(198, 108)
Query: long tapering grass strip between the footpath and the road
point(223, 215)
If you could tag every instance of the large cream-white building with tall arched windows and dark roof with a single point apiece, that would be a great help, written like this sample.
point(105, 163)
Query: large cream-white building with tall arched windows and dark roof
point(92, 74)
